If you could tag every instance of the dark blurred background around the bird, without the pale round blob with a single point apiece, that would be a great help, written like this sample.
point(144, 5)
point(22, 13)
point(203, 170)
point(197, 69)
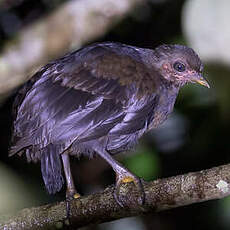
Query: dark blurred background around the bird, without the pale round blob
point(195, 137)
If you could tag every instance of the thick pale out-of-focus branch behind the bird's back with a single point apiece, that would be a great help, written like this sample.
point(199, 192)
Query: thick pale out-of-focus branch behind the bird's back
point(72, 25)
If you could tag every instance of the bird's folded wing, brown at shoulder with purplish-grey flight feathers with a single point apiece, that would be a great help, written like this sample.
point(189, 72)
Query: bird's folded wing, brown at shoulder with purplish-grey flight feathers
point(76, 94)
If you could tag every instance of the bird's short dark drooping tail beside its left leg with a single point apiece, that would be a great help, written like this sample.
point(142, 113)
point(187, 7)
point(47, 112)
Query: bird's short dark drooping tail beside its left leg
point(51, 168)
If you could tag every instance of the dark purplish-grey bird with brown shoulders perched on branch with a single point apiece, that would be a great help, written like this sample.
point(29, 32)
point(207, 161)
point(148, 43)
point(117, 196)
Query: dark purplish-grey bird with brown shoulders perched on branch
point(98, 100)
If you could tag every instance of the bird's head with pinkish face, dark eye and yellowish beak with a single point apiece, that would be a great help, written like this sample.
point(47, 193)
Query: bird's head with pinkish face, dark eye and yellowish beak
point(180, 65)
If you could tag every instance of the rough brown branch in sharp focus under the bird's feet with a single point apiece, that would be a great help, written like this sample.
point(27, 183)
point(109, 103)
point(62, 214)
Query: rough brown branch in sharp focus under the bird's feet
point(161, 194)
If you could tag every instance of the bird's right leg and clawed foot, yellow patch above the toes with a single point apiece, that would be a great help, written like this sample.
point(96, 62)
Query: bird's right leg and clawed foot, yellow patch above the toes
point(123, 175)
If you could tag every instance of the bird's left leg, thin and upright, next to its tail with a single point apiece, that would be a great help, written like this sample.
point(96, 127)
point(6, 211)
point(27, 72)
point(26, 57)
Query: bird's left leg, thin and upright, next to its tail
point(71, 192)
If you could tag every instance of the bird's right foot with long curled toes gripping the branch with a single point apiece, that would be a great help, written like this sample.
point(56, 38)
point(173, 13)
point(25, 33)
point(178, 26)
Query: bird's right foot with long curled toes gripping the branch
point(125, 193)
